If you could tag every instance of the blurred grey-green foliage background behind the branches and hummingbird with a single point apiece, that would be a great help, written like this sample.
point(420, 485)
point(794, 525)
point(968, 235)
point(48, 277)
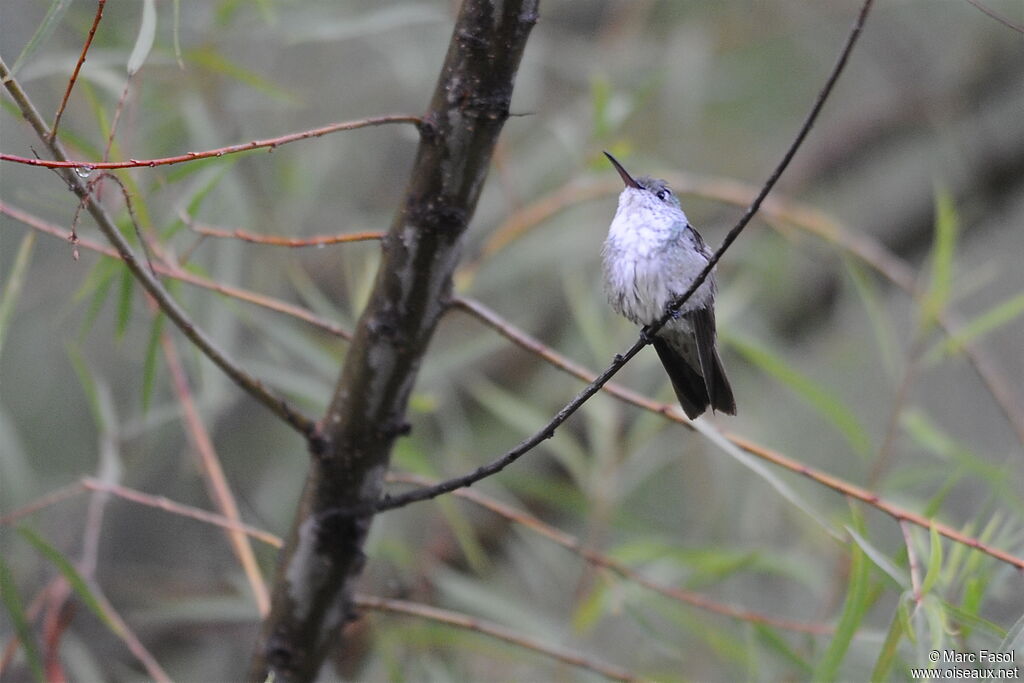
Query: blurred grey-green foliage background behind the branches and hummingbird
point(831, 363)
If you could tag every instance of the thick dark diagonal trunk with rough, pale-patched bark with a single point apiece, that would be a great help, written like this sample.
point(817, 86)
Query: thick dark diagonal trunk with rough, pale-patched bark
point(323, 559)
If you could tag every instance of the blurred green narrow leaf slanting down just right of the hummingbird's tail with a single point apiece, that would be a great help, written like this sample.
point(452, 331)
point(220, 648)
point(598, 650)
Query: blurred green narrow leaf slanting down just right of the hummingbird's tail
point(818, 399)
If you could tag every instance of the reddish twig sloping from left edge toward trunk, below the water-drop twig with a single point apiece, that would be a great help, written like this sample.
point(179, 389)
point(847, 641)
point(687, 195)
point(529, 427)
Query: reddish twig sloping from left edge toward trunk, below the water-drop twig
point(176, 273)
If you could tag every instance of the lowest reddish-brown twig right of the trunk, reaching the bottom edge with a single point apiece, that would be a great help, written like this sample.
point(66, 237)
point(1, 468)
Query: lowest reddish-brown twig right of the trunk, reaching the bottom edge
point(495, 631)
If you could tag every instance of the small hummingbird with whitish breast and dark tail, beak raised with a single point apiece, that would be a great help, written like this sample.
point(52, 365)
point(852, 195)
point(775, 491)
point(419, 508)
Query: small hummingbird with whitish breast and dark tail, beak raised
point(652, 258)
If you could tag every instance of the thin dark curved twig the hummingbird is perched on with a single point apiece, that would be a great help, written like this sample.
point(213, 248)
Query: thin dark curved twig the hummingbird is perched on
point(546, 433)
